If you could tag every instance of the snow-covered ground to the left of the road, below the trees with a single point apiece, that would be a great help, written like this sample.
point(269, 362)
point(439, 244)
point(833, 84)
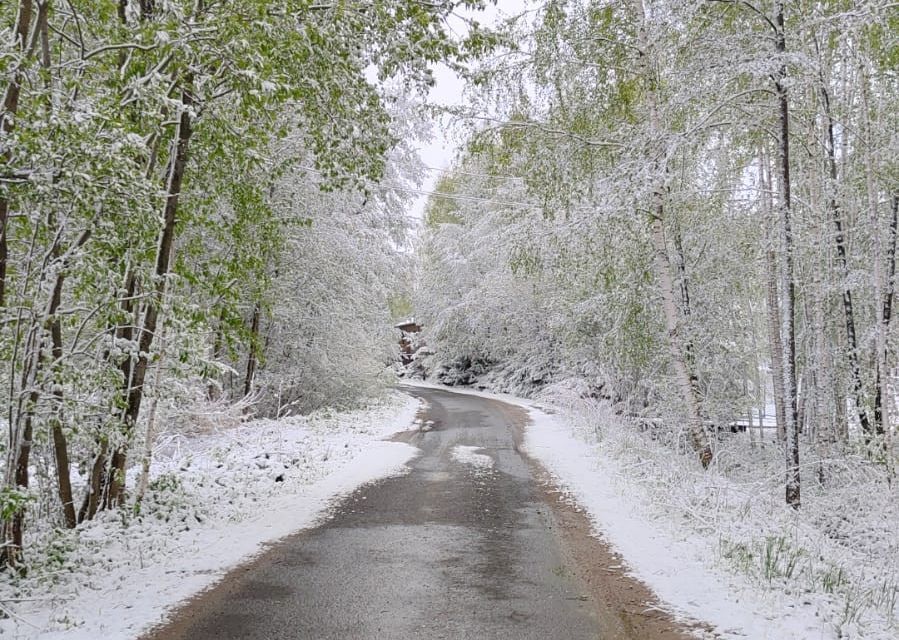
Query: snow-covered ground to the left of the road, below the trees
point(214, 501)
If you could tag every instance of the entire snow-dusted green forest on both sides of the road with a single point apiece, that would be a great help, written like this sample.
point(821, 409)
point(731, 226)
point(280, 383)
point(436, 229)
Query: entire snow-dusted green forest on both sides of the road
point(675, 220)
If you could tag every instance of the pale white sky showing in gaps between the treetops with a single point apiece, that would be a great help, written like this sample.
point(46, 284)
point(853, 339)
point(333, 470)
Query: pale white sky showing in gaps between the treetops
point(449, 91)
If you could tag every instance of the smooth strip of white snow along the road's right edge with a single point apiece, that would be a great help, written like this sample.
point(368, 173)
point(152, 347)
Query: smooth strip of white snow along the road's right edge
point(678, 565)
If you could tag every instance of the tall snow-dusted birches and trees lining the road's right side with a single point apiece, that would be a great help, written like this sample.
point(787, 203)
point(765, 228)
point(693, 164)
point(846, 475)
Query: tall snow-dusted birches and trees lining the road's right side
point(690, 204)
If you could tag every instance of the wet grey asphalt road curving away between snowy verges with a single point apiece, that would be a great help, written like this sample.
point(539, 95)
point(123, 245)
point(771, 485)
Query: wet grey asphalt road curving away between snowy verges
point(446, 551)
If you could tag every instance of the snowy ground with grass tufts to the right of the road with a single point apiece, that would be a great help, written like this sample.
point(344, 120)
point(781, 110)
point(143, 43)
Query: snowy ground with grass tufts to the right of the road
point(713, 549)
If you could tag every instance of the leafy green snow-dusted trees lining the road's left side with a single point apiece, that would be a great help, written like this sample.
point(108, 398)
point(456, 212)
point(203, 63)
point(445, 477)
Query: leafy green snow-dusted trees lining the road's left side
point(183, 185)
